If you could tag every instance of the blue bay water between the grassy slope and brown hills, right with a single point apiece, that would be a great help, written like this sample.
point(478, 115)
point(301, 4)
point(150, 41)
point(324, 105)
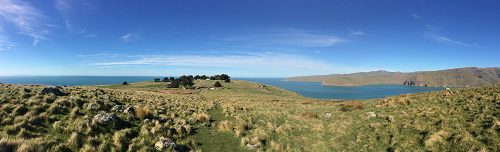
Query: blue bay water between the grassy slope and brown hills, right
point(316, 90)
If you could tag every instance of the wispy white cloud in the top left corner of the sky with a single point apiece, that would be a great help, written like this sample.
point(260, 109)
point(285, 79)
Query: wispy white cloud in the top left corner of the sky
point(29, 20)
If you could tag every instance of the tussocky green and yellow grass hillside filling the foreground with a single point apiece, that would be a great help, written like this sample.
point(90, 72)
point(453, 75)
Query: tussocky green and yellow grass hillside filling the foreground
point(243, 116)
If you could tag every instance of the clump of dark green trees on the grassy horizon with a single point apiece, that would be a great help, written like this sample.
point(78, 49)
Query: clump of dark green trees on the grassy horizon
point(186, 81)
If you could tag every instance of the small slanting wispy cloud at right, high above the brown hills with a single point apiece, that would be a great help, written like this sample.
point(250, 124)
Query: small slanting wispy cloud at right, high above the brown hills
point(433, 34)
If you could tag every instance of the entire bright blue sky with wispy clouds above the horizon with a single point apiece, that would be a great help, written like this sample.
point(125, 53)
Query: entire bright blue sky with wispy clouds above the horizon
point(245, 38)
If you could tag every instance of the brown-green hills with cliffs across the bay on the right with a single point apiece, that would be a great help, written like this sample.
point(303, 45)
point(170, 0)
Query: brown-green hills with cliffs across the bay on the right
point(460, 77)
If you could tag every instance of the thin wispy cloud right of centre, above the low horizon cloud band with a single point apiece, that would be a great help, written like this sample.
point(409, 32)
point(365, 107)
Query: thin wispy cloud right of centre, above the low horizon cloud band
point(289, 36)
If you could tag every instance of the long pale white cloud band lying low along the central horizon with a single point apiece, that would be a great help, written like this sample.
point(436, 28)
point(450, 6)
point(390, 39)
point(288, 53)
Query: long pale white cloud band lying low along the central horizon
point(276, 63)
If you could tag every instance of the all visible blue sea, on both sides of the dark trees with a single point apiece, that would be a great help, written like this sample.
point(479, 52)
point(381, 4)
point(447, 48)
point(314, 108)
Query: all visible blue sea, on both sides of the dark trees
point(308, 89)
